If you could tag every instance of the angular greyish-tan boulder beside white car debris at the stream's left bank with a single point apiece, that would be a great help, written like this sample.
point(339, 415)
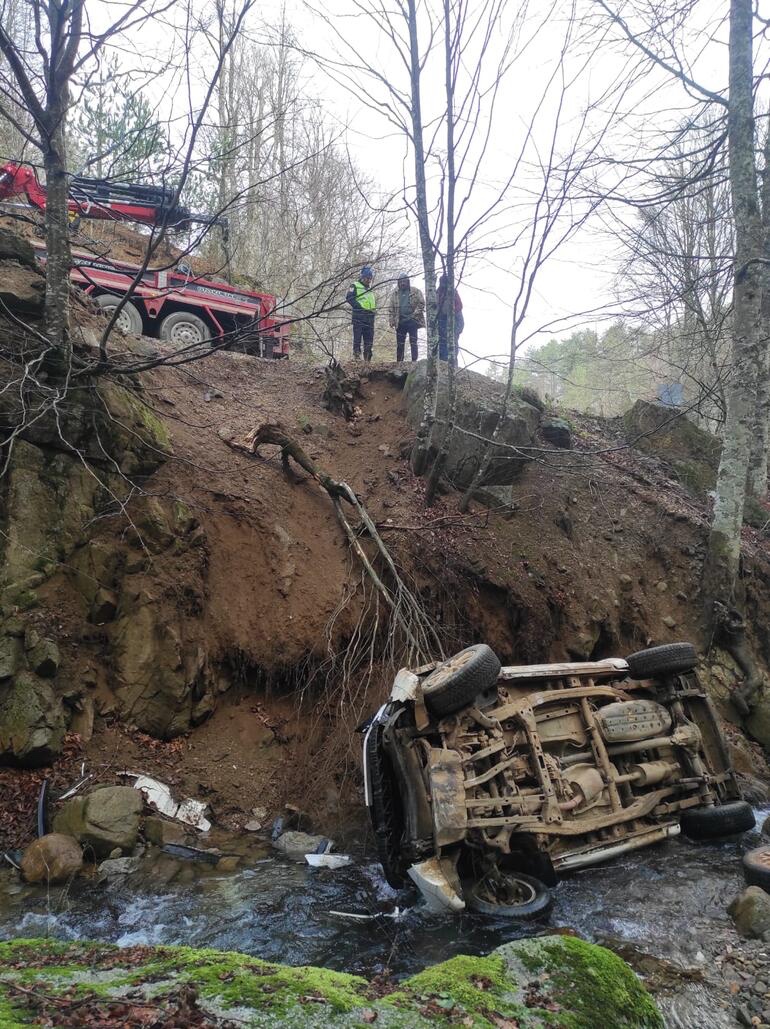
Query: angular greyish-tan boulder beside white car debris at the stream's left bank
point(103, 821)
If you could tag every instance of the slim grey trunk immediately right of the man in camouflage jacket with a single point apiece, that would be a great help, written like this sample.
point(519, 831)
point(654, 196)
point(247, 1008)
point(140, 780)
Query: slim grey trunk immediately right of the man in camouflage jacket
point(423, 444)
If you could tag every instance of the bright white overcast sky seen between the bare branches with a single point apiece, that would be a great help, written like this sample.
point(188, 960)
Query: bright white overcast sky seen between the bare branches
point(579, 278)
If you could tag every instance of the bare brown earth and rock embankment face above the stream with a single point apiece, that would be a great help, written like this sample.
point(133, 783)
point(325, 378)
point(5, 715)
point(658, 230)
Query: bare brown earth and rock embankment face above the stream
point(199, 595)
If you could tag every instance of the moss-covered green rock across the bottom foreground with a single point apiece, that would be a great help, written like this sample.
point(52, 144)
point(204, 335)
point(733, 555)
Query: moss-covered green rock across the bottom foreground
point(552, 981)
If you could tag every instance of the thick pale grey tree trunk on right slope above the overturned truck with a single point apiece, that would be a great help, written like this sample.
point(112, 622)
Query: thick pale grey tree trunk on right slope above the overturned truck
point(724, 545)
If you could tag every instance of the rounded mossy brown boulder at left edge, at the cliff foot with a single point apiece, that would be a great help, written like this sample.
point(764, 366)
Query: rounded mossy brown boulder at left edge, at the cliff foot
point(32, 722)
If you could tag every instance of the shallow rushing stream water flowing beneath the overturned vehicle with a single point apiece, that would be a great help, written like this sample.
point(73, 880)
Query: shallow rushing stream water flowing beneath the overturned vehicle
point(664, 909)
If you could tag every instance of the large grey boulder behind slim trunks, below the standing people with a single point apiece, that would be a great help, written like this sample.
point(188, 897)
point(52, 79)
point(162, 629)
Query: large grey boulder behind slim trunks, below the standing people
point(479, 401)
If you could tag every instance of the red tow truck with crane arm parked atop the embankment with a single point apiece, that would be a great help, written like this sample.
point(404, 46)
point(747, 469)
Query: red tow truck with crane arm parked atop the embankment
point(173, 304)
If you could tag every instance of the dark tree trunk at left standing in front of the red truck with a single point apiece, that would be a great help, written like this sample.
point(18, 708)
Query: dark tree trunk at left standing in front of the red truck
point(59, 260)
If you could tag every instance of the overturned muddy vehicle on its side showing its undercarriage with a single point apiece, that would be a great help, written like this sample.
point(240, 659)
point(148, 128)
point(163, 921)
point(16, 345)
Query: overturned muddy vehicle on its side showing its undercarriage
point(485, 784)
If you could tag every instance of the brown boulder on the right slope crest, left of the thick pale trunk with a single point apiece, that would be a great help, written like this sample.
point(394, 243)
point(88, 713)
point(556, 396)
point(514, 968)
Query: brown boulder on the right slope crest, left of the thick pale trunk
point(666, 433)
